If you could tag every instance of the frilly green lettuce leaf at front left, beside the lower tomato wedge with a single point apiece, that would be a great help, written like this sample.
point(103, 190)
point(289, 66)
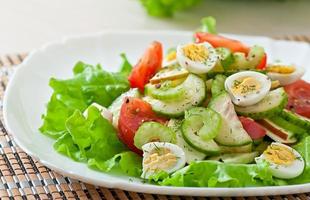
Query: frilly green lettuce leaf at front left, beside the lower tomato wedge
point(95, 136)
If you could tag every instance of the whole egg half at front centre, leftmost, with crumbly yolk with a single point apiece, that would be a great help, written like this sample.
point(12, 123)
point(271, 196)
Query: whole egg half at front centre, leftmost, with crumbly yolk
point(161, 156)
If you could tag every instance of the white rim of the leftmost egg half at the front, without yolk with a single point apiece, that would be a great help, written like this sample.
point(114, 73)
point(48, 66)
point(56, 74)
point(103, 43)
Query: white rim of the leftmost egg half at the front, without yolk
point(175, 149)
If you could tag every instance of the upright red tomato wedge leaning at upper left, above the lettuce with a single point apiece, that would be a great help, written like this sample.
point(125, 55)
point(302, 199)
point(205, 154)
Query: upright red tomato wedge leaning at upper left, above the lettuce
point(147, 66)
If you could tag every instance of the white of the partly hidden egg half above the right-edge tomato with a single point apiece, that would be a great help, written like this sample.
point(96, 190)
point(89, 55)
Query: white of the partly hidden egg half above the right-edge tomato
point(286, 79)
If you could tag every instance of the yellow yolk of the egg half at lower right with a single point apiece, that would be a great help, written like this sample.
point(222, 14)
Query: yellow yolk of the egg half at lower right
point(279, 155)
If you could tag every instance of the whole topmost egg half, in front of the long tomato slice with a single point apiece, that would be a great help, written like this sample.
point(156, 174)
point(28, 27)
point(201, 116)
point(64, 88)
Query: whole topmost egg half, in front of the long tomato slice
point(197, 58)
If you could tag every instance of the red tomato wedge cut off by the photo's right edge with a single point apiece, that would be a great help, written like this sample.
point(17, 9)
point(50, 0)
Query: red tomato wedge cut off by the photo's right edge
point(299, 97)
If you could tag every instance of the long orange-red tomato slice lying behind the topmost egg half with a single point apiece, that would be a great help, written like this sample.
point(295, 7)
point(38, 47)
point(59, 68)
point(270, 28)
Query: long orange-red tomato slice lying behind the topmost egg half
point(220, 41)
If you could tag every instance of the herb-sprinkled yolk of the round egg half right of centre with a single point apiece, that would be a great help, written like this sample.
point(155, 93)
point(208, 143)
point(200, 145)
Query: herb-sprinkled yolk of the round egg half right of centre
point(245, 86)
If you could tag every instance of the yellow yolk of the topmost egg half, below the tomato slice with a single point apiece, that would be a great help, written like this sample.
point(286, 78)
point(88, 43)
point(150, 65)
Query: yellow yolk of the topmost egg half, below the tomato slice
point(195, 52)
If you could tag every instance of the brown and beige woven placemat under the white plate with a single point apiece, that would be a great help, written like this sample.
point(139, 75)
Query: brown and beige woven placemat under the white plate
point(22, 177)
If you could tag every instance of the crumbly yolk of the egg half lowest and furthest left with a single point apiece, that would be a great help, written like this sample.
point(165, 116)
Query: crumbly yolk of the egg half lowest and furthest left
point(160, 159)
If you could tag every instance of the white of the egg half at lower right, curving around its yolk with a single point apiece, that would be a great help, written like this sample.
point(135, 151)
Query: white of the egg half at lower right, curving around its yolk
point(283, 171)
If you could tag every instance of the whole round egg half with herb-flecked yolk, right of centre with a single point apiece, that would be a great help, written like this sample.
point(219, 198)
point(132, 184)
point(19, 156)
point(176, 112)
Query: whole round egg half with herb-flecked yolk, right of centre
point(247, 88)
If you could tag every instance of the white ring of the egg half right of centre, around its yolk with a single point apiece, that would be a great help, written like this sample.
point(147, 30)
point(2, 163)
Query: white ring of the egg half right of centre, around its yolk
point(253, 97)
